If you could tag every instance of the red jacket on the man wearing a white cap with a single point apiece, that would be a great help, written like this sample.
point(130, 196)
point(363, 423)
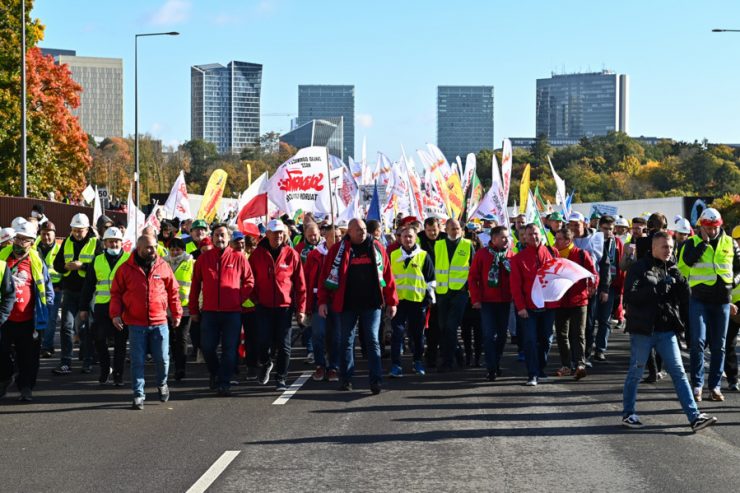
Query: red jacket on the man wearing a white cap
point(278, 283)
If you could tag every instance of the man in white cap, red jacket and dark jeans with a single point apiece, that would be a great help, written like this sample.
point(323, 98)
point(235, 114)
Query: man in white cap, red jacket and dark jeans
point(279, 286)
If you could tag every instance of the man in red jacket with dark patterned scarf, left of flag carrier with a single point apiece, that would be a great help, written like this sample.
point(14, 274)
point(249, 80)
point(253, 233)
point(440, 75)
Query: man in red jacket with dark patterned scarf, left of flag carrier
point(490, 292)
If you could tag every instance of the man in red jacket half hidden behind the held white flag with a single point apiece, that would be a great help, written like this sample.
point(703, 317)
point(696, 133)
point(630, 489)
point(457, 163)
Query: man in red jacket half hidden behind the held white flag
point(570, 316)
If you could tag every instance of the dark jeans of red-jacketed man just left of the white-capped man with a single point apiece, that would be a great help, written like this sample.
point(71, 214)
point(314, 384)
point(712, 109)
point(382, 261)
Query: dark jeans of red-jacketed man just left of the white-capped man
point(223, 327)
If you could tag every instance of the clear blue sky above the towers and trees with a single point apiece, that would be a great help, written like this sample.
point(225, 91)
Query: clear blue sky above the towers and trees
point(683, 79)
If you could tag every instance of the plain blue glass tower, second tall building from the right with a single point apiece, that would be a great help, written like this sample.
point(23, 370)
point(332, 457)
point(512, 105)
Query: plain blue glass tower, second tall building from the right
point(464, 120)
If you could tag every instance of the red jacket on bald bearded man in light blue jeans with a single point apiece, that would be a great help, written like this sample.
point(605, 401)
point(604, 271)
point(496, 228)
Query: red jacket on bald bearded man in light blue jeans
point(142, 299)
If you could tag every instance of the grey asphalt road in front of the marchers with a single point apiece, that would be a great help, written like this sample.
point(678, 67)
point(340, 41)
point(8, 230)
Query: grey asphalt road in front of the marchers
point(442, 432)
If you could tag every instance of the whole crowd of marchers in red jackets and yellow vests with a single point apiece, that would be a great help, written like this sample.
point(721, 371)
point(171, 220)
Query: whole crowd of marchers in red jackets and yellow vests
point(206, 287)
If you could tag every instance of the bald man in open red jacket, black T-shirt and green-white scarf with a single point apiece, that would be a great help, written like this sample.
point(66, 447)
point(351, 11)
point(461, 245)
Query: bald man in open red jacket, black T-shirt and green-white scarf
point(357, 282)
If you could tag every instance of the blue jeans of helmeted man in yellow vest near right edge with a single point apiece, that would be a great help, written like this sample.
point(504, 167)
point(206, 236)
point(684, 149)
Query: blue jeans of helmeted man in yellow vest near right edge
point(708, 319)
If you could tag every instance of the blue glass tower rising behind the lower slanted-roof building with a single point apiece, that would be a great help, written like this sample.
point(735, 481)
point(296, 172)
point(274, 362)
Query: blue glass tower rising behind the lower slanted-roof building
point(325, 102)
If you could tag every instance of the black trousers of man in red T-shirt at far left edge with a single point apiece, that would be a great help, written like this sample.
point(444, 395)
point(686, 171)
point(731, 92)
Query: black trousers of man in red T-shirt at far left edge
point(20, 347)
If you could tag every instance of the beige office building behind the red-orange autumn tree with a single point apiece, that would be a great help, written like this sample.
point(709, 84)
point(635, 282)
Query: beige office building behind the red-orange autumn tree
point(101, 102)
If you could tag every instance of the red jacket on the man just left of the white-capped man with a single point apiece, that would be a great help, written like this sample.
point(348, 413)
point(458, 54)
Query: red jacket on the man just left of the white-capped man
point(224, 277)
